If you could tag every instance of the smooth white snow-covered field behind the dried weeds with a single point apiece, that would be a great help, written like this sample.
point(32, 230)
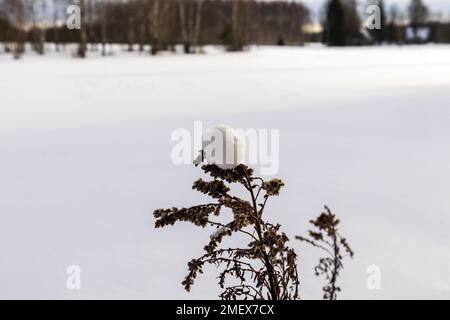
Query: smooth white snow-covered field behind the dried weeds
point(85, 158)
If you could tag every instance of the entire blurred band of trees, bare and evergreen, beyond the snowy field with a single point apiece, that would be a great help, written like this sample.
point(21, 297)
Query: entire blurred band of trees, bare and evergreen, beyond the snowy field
point(159, 25)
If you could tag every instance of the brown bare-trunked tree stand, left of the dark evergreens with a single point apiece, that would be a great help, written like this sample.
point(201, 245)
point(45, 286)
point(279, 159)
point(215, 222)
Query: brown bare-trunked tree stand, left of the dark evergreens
point(158, 24)
